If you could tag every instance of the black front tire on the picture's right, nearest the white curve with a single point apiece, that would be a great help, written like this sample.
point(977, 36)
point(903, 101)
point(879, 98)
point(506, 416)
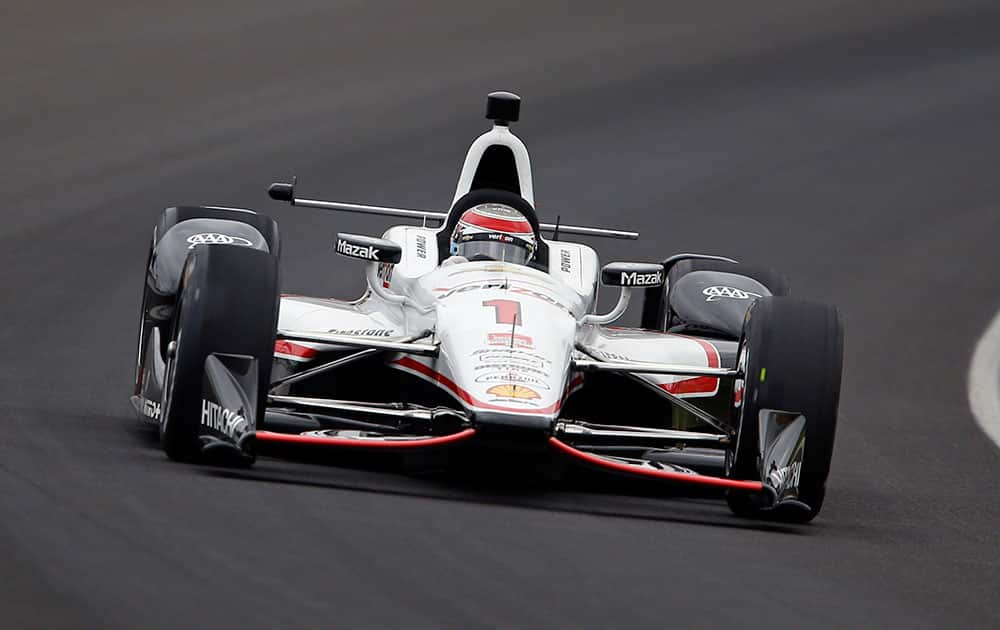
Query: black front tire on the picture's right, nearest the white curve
point(800, 344)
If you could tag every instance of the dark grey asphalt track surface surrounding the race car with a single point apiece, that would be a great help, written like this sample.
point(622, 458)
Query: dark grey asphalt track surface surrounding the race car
point(853, 144)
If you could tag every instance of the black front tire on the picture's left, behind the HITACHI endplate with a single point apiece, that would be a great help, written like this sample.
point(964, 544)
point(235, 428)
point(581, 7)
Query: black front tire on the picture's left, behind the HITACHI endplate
point(228, 303)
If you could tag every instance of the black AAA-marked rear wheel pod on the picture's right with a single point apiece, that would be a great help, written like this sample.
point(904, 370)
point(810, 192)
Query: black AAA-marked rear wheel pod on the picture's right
point(712, 302)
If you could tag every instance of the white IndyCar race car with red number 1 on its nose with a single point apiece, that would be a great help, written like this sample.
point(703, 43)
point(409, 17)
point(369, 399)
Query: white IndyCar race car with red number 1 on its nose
point(476, 333)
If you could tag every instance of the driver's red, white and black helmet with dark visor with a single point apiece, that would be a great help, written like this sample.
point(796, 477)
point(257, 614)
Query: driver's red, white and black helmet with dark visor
point(494, 231)
